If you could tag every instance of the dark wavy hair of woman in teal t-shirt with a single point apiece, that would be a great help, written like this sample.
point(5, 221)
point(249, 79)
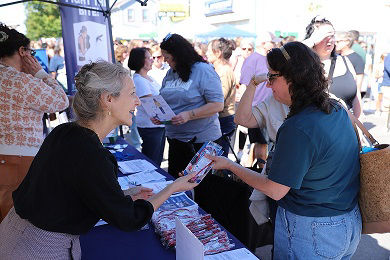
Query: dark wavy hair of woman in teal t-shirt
point(305, 75)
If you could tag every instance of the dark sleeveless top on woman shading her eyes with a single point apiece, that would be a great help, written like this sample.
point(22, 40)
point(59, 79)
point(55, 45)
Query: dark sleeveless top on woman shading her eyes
point(344, 86)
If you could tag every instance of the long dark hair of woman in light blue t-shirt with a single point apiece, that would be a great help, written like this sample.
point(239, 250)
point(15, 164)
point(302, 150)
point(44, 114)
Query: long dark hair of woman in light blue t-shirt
point(183, 54)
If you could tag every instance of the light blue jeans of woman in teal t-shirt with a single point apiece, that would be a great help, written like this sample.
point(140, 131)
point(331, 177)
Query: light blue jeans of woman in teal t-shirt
point(301, 237)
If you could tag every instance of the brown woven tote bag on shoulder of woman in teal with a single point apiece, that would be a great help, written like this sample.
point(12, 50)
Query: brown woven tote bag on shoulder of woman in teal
point(374, 196)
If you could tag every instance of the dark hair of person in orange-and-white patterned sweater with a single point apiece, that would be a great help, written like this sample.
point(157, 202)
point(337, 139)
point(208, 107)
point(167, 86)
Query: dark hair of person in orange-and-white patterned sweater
point(11, 40)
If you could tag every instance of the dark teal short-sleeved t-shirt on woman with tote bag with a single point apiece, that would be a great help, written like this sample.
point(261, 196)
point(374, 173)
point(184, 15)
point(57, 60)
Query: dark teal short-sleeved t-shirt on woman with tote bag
point(317, 155)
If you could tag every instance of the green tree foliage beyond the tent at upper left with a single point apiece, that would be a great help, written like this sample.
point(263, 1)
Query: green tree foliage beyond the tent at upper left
point(43, 20)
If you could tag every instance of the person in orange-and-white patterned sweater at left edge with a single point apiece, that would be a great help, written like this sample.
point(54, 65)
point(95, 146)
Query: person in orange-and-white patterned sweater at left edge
point(26, 93)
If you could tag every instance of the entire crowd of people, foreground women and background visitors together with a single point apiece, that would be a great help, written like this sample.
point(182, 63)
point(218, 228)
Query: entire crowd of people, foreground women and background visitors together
point(291, 98)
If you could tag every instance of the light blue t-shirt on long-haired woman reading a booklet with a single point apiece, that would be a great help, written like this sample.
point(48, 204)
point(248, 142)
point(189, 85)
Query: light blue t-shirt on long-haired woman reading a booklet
point(204, 86)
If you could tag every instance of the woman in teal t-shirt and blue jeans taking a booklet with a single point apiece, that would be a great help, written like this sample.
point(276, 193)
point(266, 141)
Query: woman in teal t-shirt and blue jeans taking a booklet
point(314, 173)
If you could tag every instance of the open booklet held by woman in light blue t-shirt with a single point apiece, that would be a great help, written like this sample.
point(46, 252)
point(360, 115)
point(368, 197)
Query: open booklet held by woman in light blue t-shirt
point(158, 108)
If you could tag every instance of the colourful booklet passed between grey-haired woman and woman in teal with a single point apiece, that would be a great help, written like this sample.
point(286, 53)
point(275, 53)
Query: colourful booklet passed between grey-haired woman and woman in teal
point(200, 164)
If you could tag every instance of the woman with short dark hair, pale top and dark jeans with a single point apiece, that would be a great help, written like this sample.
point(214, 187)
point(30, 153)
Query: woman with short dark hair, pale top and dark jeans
point(153, 136)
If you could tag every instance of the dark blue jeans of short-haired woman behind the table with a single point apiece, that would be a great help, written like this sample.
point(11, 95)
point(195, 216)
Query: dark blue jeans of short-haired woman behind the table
point(153, 143)
